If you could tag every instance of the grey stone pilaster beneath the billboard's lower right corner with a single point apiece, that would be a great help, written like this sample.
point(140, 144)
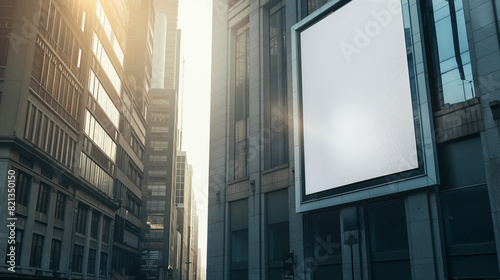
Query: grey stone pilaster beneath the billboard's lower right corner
point(420, 237)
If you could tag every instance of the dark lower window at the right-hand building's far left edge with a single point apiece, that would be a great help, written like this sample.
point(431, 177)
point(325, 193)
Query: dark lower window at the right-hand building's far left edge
point(239, 239)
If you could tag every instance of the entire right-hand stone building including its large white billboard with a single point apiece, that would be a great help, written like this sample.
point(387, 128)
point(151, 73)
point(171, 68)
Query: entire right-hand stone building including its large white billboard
point(435, 217)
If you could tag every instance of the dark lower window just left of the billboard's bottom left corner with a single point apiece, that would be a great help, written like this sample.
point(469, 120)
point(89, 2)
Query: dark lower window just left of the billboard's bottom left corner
point(277, 232)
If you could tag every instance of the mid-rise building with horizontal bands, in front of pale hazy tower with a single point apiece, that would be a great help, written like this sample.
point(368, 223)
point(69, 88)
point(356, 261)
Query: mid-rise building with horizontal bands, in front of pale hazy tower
point(160, 249)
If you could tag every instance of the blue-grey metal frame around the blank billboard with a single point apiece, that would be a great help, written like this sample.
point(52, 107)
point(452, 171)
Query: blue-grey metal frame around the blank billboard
point(427, 173)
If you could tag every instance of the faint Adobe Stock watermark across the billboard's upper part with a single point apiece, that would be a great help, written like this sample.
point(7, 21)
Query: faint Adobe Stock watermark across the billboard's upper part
point(364, 36)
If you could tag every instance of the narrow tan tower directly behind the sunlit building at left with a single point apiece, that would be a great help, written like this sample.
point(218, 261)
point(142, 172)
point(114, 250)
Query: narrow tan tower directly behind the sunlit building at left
point(138, 71)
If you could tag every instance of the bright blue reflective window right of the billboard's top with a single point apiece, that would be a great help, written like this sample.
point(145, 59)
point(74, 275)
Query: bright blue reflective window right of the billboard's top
point(449, 50)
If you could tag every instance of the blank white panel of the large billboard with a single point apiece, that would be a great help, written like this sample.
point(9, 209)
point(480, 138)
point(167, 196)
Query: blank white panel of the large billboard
point(357, 113)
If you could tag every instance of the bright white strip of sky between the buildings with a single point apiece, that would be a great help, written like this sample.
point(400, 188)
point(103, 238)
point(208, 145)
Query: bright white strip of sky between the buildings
point(195, 21)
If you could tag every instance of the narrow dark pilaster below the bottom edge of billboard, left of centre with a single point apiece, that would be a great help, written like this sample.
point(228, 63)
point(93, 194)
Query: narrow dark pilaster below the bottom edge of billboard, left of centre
point(351, 257)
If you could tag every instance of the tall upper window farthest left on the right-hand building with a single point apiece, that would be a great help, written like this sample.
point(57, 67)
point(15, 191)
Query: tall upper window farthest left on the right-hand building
point(241, 91)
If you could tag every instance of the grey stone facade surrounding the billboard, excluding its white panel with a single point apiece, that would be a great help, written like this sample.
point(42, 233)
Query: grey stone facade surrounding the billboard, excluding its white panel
point(446, 230)
